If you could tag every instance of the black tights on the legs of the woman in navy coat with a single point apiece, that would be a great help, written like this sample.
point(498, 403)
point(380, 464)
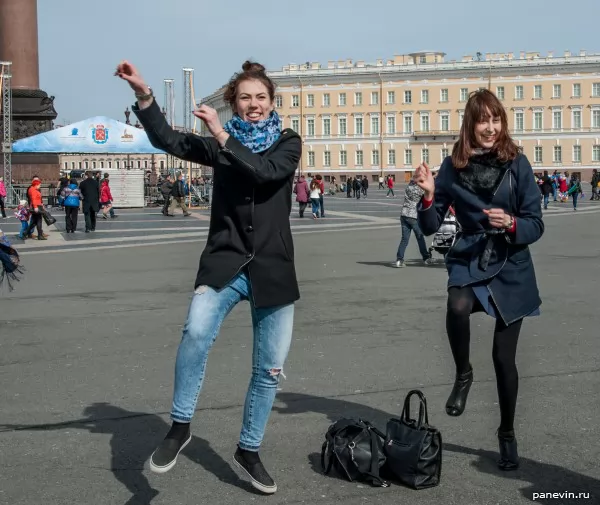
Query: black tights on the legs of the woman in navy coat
point(461, 302)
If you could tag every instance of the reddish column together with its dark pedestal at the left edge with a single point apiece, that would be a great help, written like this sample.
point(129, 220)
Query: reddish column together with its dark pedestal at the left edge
point(33, 110)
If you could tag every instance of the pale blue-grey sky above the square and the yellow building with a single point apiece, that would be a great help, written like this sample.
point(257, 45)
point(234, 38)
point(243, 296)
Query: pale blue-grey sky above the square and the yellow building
point(81, 42)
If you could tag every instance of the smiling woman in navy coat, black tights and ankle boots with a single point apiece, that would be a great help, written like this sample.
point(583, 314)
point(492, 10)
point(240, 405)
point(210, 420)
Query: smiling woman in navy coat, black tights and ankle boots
point(497, 202)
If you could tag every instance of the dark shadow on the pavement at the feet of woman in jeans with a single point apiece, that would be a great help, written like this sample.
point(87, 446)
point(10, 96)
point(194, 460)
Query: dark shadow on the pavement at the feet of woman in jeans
point(133, 438)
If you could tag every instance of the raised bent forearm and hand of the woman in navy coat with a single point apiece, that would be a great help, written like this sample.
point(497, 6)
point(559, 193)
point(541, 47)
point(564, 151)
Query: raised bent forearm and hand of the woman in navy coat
point(434, 206)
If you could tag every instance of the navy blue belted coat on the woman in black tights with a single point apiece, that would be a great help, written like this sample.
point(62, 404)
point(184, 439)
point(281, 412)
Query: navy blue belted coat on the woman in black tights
point(484, 184)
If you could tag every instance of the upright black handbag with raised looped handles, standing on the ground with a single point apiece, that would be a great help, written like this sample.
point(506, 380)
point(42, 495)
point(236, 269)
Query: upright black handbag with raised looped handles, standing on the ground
point(413, 448)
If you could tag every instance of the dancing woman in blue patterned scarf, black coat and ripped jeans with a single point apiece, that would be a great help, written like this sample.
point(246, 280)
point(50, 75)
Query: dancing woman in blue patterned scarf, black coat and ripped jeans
point(249, 253)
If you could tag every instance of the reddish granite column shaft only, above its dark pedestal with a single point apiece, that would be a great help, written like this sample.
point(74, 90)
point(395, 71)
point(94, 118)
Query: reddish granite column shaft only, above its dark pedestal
point(19, 41)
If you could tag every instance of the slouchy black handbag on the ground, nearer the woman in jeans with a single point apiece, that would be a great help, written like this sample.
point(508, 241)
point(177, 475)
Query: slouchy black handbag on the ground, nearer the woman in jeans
point(355, 449)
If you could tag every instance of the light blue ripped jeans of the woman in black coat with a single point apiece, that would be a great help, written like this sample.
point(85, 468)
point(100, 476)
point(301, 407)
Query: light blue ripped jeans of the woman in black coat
point(272, 338)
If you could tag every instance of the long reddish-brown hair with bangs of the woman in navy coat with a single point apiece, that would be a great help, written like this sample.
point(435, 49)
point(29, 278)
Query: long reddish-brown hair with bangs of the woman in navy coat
point(480, 104)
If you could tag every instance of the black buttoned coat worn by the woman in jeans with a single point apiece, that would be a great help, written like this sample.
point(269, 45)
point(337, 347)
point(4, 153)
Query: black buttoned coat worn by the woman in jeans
point(251, 204)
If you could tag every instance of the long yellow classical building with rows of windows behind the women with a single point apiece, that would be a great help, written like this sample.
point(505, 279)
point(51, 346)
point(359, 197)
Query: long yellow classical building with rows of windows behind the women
point(385, 117)
